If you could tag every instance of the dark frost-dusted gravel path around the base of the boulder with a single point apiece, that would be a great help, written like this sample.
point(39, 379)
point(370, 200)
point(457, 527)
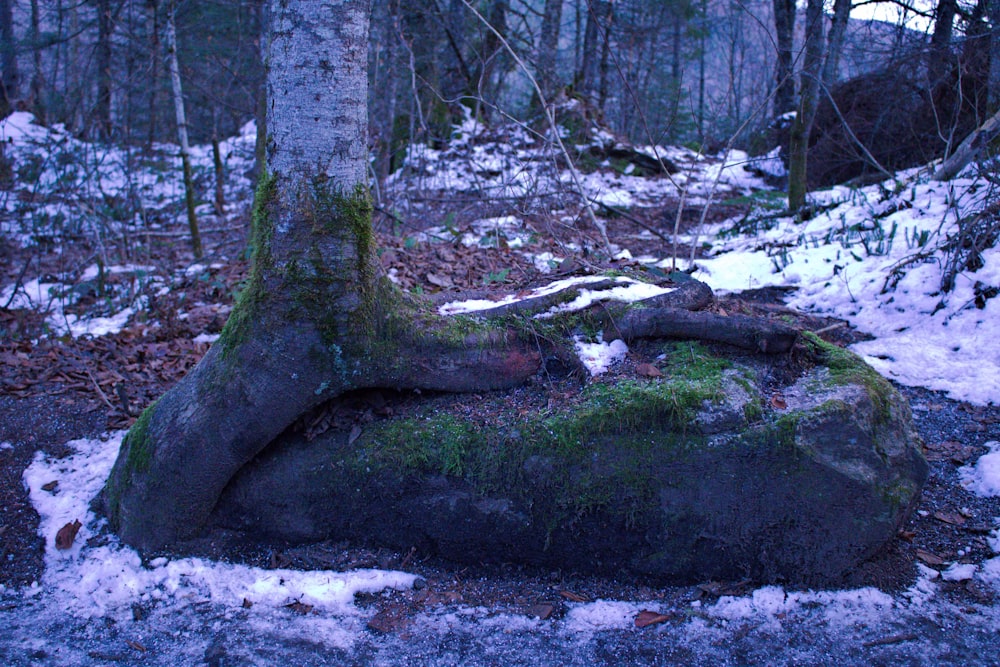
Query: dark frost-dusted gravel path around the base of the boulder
point(428, 625)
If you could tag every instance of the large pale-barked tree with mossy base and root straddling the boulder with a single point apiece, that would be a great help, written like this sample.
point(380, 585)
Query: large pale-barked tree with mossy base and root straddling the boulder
point(315, 319)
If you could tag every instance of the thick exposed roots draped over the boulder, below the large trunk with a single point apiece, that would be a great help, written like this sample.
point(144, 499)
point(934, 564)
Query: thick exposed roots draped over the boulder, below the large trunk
point(237, 401)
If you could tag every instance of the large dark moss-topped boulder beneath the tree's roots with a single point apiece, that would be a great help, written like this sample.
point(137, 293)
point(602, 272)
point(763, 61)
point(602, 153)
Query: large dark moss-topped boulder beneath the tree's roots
point(713, 470)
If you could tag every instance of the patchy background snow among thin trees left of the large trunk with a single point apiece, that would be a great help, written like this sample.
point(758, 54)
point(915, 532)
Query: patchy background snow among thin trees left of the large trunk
point(66, 187)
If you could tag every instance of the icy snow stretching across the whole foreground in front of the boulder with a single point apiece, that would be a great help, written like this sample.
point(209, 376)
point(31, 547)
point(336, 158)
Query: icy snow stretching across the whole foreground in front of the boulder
point(187, 605)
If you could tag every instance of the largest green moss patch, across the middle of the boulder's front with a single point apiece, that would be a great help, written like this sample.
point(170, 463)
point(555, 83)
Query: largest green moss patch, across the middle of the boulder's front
point(601, 446)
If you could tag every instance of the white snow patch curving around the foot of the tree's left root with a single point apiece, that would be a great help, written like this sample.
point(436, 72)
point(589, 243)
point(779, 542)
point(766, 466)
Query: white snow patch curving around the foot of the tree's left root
point(107, 579)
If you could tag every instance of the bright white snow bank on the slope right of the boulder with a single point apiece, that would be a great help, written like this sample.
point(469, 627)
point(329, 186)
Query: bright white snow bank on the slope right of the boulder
point(875, 257)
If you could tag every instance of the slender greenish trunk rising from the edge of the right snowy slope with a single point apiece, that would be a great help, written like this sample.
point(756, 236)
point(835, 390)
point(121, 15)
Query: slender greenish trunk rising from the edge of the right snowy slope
point(809, 87)
